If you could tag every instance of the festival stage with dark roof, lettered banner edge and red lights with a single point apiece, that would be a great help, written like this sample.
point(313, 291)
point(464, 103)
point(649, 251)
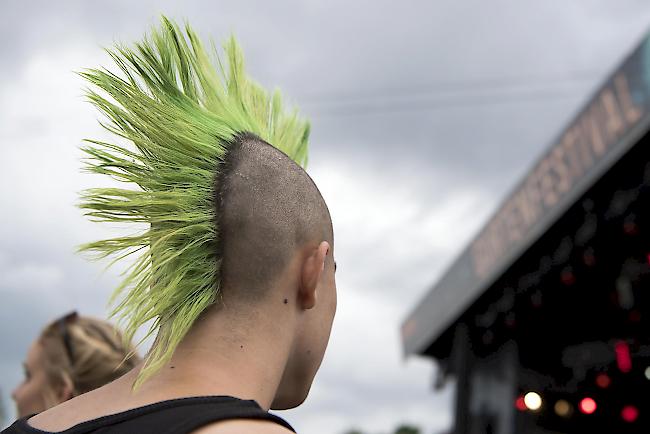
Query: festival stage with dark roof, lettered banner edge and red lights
point(544, 319)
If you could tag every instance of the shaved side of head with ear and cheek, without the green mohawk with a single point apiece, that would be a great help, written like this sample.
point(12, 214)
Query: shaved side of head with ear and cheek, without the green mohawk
point(277, 245)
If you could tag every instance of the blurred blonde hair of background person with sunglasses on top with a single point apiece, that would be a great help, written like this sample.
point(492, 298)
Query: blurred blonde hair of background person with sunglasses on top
point(85, 353)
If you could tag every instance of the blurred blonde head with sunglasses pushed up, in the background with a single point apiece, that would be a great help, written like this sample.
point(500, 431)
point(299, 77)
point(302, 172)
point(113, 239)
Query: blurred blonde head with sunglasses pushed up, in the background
point(72, 355)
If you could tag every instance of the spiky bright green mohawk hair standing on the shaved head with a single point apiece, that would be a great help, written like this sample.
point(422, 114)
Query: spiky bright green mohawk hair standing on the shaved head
point(178, 107)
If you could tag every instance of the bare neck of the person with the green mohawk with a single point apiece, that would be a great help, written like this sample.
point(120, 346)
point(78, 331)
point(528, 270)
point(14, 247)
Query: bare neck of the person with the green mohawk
point(227, 353)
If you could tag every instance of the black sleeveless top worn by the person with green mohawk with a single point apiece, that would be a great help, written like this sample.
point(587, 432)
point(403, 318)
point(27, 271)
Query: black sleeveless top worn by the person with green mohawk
point(176, 416)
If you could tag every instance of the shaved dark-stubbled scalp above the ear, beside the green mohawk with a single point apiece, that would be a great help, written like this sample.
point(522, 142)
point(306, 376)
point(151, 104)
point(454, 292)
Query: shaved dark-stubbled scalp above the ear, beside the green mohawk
point(268, 207)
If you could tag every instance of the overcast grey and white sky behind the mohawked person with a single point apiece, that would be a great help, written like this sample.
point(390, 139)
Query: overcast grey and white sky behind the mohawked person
point(424, 115)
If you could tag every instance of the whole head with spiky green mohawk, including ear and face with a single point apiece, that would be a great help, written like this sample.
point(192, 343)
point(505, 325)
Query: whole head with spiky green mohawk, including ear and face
point(215, 160)
